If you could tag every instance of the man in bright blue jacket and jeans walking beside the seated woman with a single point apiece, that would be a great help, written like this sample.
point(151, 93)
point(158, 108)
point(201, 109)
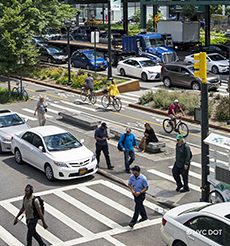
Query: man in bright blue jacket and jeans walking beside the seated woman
point(126, 142)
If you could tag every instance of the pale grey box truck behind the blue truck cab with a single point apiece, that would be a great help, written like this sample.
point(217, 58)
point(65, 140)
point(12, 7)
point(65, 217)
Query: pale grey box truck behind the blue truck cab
point(184, 33)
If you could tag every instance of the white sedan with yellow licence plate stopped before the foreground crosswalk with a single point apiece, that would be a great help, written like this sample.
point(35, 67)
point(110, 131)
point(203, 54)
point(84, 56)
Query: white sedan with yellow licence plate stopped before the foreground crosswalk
point(54, 151)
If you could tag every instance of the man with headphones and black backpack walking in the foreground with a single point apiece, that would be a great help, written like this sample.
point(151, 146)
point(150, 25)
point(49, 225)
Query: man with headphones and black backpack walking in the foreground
point(31, 220)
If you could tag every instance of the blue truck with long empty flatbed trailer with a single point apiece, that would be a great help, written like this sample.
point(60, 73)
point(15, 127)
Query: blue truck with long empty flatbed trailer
point(142, 45)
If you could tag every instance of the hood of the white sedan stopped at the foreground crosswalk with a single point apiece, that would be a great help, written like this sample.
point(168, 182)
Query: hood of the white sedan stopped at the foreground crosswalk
point(80, 153)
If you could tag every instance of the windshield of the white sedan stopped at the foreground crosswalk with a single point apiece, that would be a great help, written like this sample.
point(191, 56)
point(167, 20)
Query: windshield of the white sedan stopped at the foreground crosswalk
point(60, 142)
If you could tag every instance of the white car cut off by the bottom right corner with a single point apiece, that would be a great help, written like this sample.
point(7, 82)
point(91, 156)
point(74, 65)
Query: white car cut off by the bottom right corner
point(197, 224)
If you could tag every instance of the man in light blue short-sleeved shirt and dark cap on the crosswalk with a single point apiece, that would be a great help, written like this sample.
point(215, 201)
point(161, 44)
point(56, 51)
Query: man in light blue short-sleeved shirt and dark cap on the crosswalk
point(138, 184)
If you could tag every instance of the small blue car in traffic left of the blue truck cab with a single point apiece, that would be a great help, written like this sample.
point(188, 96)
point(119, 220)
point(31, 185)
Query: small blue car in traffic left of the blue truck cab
point(86, 59)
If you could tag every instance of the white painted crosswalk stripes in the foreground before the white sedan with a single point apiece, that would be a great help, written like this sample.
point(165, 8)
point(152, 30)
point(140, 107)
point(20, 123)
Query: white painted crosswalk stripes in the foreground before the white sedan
point(87, 235)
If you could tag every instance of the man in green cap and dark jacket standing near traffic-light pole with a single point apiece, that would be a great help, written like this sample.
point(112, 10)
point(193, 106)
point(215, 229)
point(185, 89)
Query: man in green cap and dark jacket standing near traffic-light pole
point(181, 165)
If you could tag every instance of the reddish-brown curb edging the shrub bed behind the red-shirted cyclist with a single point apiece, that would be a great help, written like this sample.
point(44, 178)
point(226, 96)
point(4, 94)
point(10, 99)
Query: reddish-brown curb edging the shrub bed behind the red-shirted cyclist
point(156, 111)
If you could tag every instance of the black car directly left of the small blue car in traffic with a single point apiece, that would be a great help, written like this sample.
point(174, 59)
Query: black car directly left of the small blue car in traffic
point(52, 54)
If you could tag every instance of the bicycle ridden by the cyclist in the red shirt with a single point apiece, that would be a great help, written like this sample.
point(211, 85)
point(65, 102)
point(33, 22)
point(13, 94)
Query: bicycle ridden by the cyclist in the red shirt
point(181, 127)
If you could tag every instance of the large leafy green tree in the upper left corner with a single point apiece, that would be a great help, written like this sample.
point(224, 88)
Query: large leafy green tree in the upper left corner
point(19, 20)
